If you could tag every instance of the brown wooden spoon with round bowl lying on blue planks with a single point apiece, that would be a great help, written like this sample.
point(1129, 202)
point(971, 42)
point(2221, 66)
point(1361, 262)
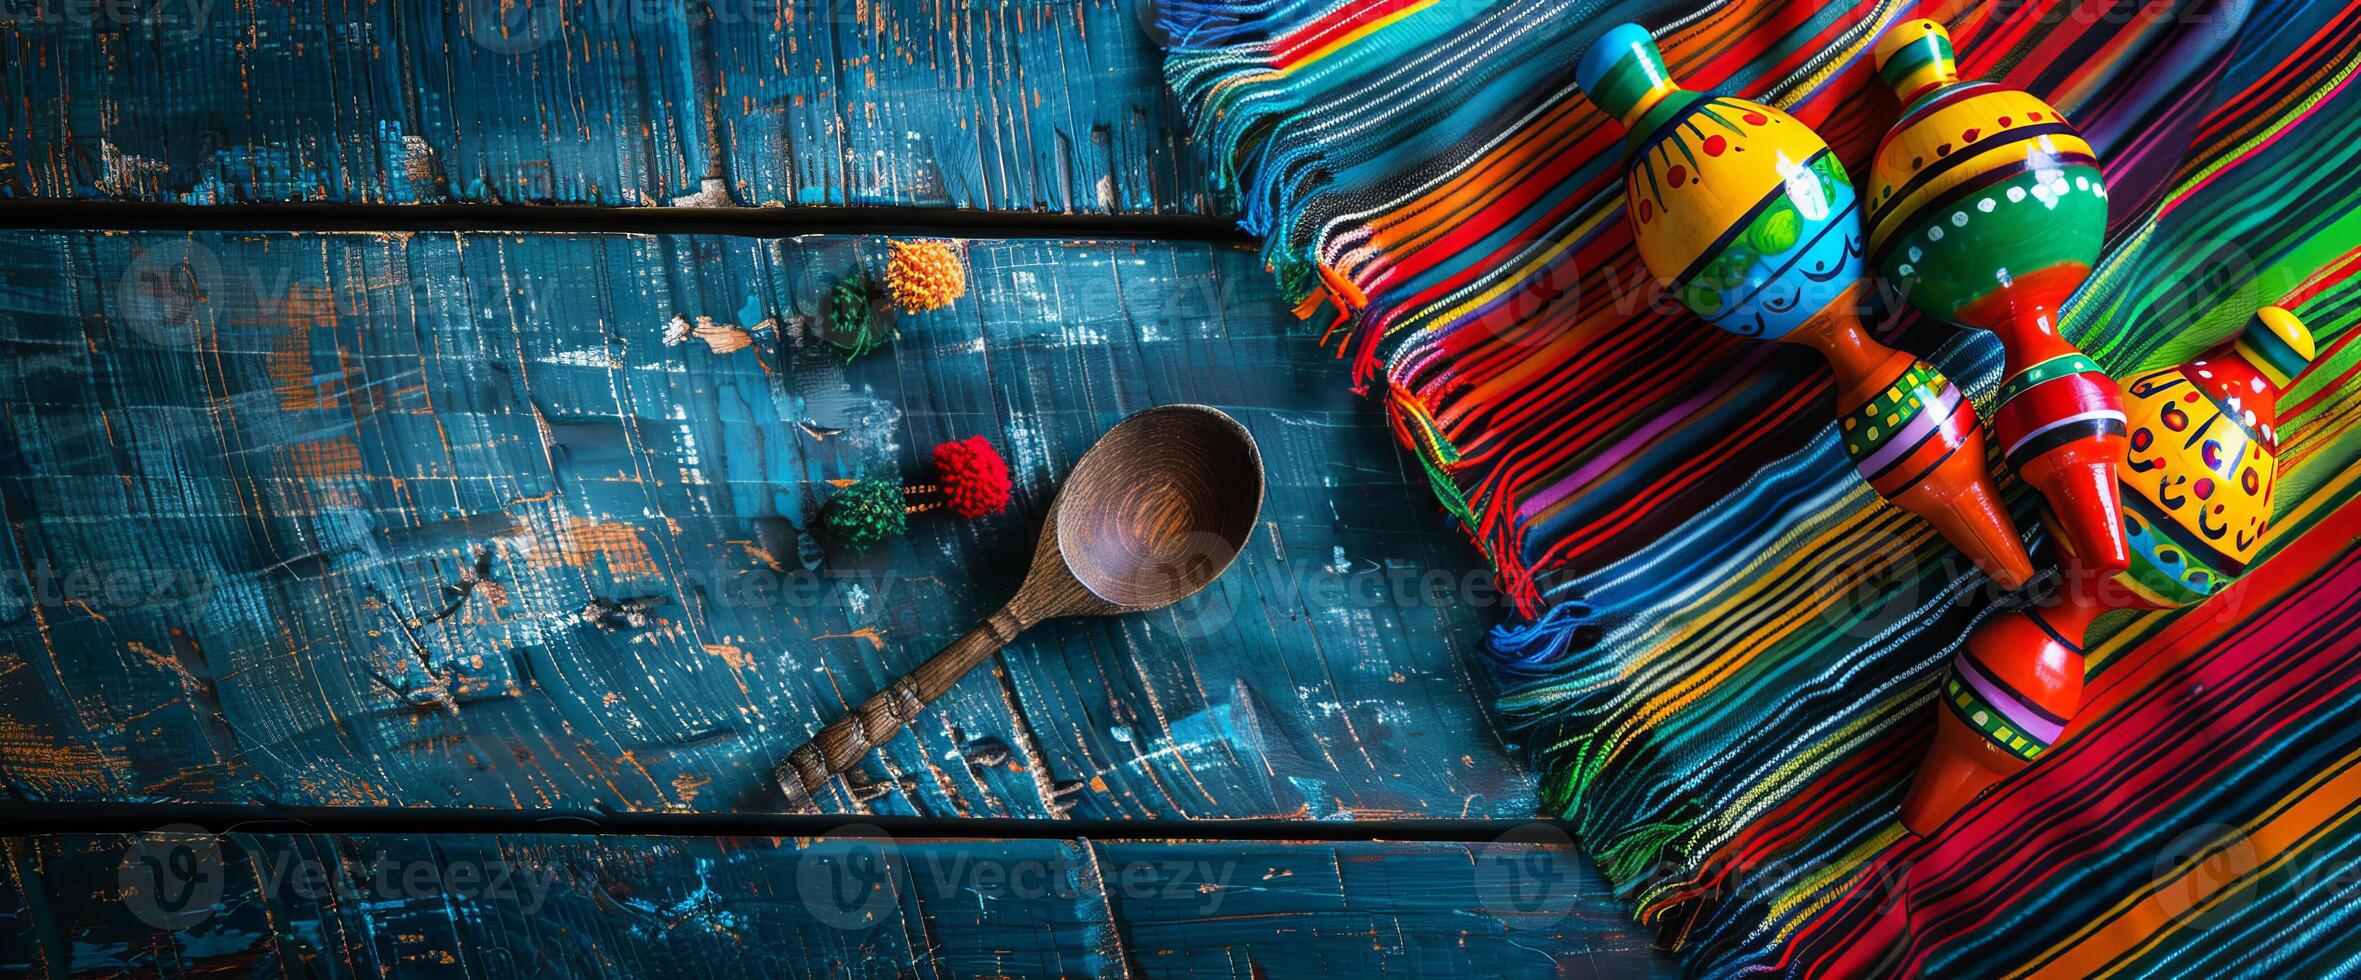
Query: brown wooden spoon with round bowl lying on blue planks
point(1153, 514)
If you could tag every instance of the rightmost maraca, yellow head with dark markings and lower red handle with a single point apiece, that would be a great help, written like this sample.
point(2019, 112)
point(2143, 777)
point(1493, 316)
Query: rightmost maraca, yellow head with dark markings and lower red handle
point(2197, 495)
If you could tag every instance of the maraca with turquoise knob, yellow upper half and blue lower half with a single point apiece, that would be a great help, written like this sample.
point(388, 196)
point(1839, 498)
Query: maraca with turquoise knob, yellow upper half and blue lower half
point(1753, 223)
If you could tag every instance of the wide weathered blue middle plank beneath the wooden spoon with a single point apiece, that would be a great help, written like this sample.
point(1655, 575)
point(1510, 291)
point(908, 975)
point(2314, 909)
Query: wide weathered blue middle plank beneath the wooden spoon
point(237, 466)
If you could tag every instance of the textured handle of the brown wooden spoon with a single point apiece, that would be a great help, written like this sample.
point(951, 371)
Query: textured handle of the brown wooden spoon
point(875, 721)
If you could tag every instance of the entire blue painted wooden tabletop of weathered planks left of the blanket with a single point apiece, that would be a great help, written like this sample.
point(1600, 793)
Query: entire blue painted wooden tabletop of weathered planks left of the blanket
point(511, 521)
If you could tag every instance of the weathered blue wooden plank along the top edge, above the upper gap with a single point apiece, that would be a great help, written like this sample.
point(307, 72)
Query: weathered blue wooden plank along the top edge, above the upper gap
point(1042, 105)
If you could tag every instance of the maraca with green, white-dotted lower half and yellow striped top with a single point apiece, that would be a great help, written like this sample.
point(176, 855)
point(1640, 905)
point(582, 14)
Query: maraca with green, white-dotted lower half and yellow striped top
point(1989, 211)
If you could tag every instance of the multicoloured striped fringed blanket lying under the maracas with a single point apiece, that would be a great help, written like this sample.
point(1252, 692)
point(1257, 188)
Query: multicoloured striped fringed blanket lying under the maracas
point(1725, 646)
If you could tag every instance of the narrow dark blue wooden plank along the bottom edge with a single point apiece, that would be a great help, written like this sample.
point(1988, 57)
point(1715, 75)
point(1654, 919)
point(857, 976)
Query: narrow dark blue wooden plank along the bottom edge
point(842, 906)
